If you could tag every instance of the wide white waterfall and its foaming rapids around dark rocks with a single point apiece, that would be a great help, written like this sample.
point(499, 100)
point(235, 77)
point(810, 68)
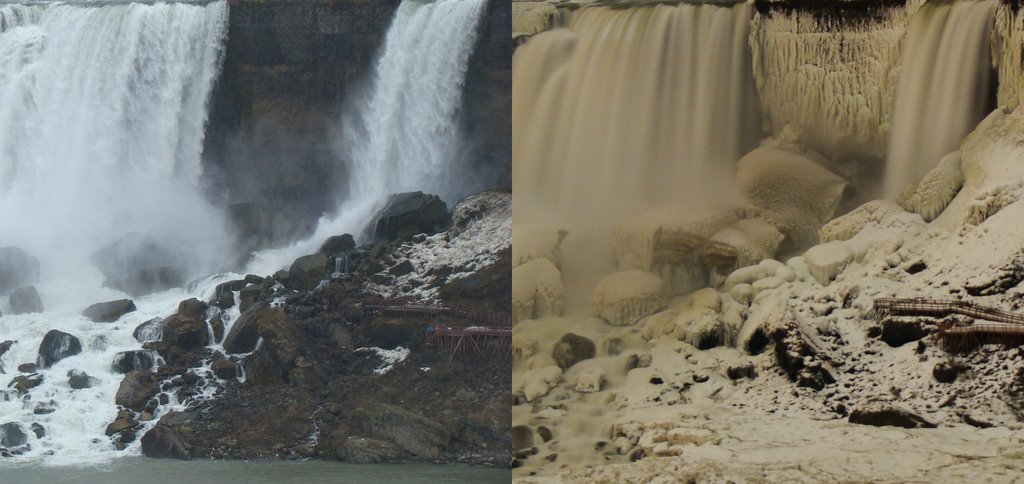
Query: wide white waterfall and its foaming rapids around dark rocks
point(103, 112)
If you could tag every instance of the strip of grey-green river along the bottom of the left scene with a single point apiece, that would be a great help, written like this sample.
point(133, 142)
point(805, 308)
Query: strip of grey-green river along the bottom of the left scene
point(153, 471)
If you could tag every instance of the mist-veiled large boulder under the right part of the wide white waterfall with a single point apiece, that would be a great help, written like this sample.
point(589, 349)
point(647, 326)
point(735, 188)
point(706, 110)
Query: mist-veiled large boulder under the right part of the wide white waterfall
point(141, 265)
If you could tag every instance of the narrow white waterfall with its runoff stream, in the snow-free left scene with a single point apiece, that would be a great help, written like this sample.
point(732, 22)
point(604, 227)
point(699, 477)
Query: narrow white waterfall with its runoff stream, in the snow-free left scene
point(404, 136)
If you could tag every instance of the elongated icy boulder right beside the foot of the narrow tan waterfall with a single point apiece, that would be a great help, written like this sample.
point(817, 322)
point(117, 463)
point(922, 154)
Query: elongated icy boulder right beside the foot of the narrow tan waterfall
point(930, 197)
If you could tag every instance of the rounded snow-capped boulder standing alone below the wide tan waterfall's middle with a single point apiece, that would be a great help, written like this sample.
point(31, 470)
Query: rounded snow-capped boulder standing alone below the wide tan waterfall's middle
point(625, 297)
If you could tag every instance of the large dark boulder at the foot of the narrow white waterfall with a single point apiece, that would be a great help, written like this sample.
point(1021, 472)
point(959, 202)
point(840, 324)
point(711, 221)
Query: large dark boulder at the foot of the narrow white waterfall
point(409, 214)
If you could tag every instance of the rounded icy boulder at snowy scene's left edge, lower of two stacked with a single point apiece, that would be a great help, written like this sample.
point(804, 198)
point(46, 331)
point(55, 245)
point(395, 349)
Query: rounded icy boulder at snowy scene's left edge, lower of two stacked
point(537, 291)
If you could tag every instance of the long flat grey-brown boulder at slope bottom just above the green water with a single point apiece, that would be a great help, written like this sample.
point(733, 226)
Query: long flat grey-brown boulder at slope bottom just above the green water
point(415, 434)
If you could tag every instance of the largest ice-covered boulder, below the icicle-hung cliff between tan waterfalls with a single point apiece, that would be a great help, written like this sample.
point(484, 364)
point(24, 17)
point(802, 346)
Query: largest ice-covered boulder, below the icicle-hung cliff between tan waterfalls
point(799, 195)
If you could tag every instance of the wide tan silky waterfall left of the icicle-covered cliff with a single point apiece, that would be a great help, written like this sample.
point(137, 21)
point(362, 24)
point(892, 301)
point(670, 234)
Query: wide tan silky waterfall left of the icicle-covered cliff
point(631, 109)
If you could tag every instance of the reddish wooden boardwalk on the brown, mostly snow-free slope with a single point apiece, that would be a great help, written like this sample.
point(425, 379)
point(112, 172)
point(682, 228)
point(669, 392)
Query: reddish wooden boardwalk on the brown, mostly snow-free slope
point(467, 332)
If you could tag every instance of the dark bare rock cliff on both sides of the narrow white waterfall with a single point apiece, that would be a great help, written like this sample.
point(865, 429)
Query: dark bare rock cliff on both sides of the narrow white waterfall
point(288, 68)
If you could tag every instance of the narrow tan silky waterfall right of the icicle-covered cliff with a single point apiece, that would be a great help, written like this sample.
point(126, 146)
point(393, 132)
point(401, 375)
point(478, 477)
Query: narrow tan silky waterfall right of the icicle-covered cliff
point(945, 85)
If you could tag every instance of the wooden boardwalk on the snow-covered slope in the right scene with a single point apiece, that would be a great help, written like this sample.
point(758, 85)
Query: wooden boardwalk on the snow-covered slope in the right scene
point(987, 326)
